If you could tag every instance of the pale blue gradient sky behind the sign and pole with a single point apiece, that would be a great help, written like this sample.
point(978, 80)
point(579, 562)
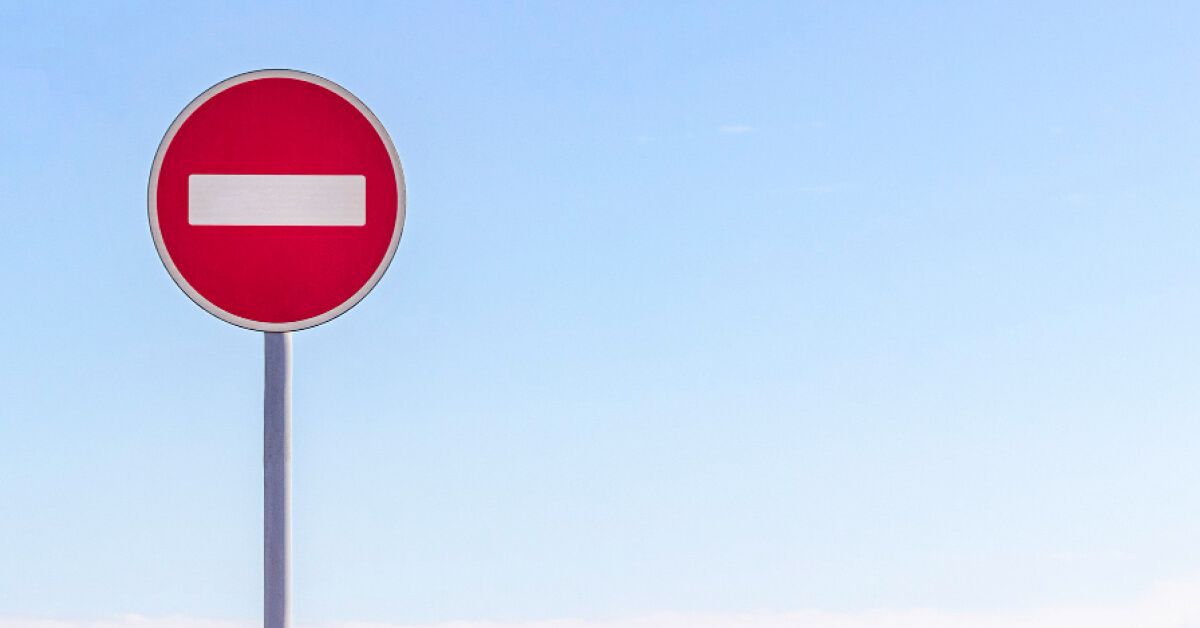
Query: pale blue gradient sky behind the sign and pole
point(700, 308)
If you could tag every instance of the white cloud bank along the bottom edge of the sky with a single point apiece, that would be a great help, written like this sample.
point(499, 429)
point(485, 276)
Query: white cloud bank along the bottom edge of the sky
point(1167, 606)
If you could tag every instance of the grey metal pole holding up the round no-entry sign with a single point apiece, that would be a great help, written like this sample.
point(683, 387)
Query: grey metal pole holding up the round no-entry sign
point(278, 482)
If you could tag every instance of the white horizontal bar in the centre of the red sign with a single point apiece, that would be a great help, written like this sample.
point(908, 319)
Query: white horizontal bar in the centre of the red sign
point(278, 200)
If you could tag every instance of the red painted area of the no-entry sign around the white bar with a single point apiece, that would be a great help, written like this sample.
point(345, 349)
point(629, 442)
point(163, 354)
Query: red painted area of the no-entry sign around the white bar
point(277, 127)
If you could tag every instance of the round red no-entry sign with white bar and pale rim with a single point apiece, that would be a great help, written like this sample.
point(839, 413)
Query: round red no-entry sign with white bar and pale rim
point(277, 201)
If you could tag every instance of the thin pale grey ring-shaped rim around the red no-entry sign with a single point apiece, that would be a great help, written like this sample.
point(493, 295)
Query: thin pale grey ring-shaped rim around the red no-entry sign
point(153, 202)
